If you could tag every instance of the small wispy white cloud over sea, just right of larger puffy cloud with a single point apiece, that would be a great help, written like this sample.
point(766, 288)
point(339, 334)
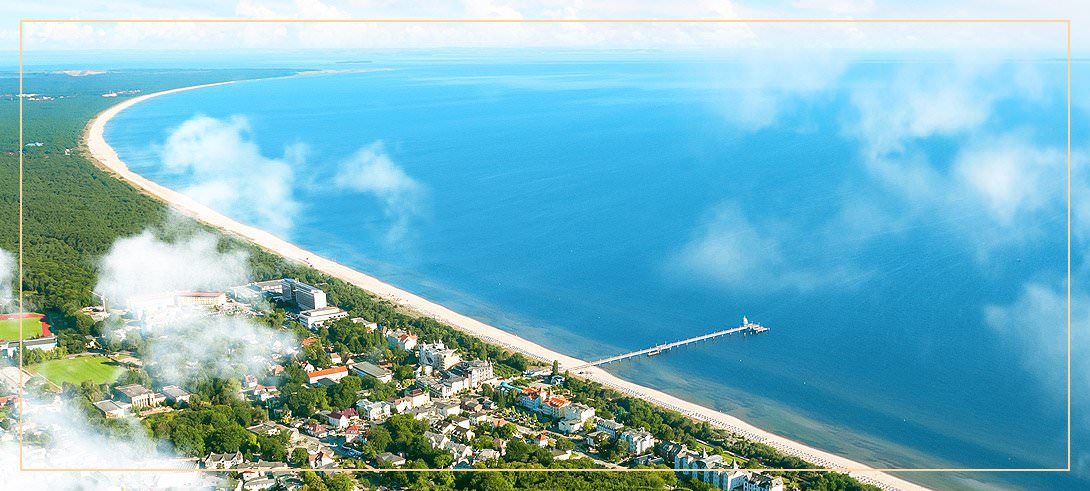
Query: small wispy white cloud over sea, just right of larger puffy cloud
point(372, 172)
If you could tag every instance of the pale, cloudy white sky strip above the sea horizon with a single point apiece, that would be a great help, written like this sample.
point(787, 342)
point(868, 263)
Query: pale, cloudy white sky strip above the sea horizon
point(734, 35)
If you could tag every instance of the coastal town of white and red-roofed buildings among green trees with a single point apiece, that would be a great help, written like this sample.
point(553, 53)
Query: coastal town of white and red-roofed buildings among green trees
point(352, 396)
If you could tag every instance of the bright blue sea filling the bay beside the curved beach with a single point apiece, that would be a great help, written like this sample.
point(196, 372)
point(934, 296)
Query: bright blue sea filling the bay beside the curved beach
point(900, 225)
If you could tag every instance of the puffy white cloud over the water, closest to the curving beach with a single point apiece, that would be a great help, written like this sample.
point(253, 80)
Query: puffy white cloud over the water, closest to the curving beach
point(229, 173)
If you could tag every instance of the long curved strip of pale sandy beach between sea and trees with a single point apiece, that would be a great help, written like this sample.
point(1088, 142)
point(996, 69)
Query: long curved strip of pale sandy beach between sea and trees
point(107, 160)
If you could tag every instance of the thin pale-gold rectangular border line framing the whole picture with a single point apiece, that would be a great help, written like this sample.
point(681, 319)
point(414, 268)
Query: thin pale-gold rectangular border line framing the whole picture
point(1065, 22)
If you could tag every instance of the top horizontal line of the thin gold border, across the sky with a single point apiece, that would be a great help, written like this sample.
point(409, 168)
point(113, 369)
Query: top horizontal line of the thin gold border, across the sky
point(565, 21)
